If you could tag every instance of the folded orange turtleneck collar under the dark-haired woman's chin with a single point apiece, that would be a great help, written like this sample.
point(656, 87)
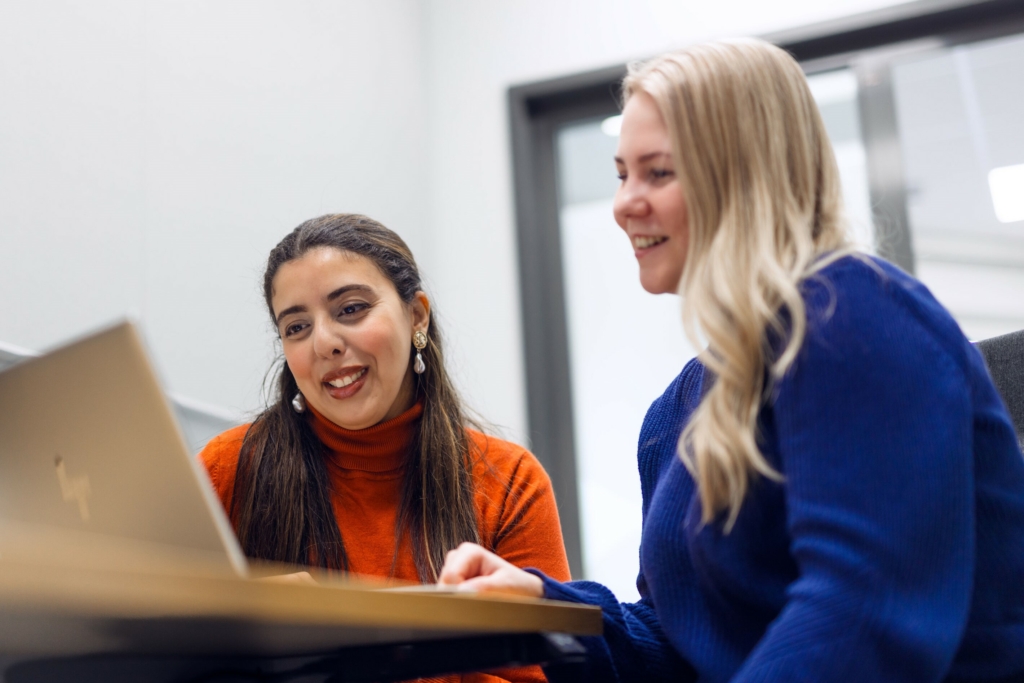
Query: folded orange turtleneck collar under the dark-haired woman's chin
point(382, 448)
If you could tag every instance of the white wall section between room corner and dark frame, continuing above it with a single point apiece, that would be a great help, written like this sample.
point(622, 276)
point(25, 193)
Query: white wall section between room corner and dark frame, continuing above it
point(475, 52)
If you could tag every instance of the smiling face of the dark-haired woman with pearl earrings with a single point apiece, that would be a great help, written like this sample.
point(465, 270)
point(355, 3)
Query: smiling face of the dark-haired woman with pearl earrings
point(348, 336)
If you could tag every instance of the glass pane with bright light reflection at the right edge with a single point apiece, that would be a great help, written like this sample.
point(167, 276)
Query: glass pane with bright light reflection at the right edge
point(960, 114)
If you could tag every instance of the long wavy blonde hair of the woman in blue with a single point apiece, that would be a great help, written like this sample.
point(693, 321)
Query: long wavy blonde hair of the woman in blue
point(765, 211)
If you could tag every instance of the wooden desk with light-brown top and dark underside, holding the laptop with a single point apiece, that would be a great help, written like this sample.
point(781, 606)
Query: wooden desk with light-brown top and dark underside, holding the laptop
point(188, 617)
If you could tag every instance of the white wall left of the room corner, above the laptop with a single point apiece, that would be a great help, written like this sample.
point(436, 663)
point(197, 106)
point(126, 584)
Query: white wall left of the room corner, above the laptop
point(153, 153)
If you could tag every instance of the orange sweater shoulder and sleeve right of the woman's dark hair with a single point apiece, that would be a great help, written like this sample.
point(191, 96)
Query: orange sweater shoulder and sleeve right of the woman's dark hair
point(516, 505)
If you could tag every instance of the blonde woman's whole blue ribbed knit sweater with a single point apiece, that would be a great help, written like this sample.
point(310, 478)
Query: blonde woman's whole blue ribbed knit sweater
point(894, 548)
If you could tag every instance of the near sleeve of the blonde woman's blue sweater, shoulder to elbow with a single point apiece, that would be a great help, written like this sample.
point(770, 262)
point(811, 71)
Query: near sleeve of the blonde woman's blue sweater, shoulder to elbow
point(875, 435)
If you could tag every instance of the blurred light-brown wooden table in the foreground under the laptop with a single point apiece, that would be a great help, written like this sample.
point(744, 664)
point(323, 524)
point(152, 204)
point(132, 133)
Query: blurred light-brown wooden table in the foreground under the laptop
point(185, 624)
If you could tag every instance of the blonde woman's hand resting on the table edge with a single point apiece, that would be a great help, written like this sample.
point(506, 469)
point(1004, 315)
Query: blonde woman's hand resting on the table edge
point(471, 568)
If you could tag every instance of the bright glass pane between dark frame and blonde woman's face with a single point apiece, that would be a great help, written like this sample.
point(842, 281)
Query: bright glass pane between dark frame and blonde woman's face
point(625, 349)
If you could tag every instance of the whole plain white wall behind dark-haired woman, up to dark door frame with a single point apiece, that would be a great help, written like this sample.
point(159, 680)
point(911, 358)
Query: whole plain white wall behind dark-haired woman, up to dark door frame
point(153, 152)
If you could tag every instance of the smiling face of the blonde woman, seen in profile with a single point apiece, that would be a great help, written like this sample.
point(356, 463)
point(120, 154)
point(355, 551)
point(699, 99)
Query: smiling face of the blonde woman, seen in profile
point(650, 204)
